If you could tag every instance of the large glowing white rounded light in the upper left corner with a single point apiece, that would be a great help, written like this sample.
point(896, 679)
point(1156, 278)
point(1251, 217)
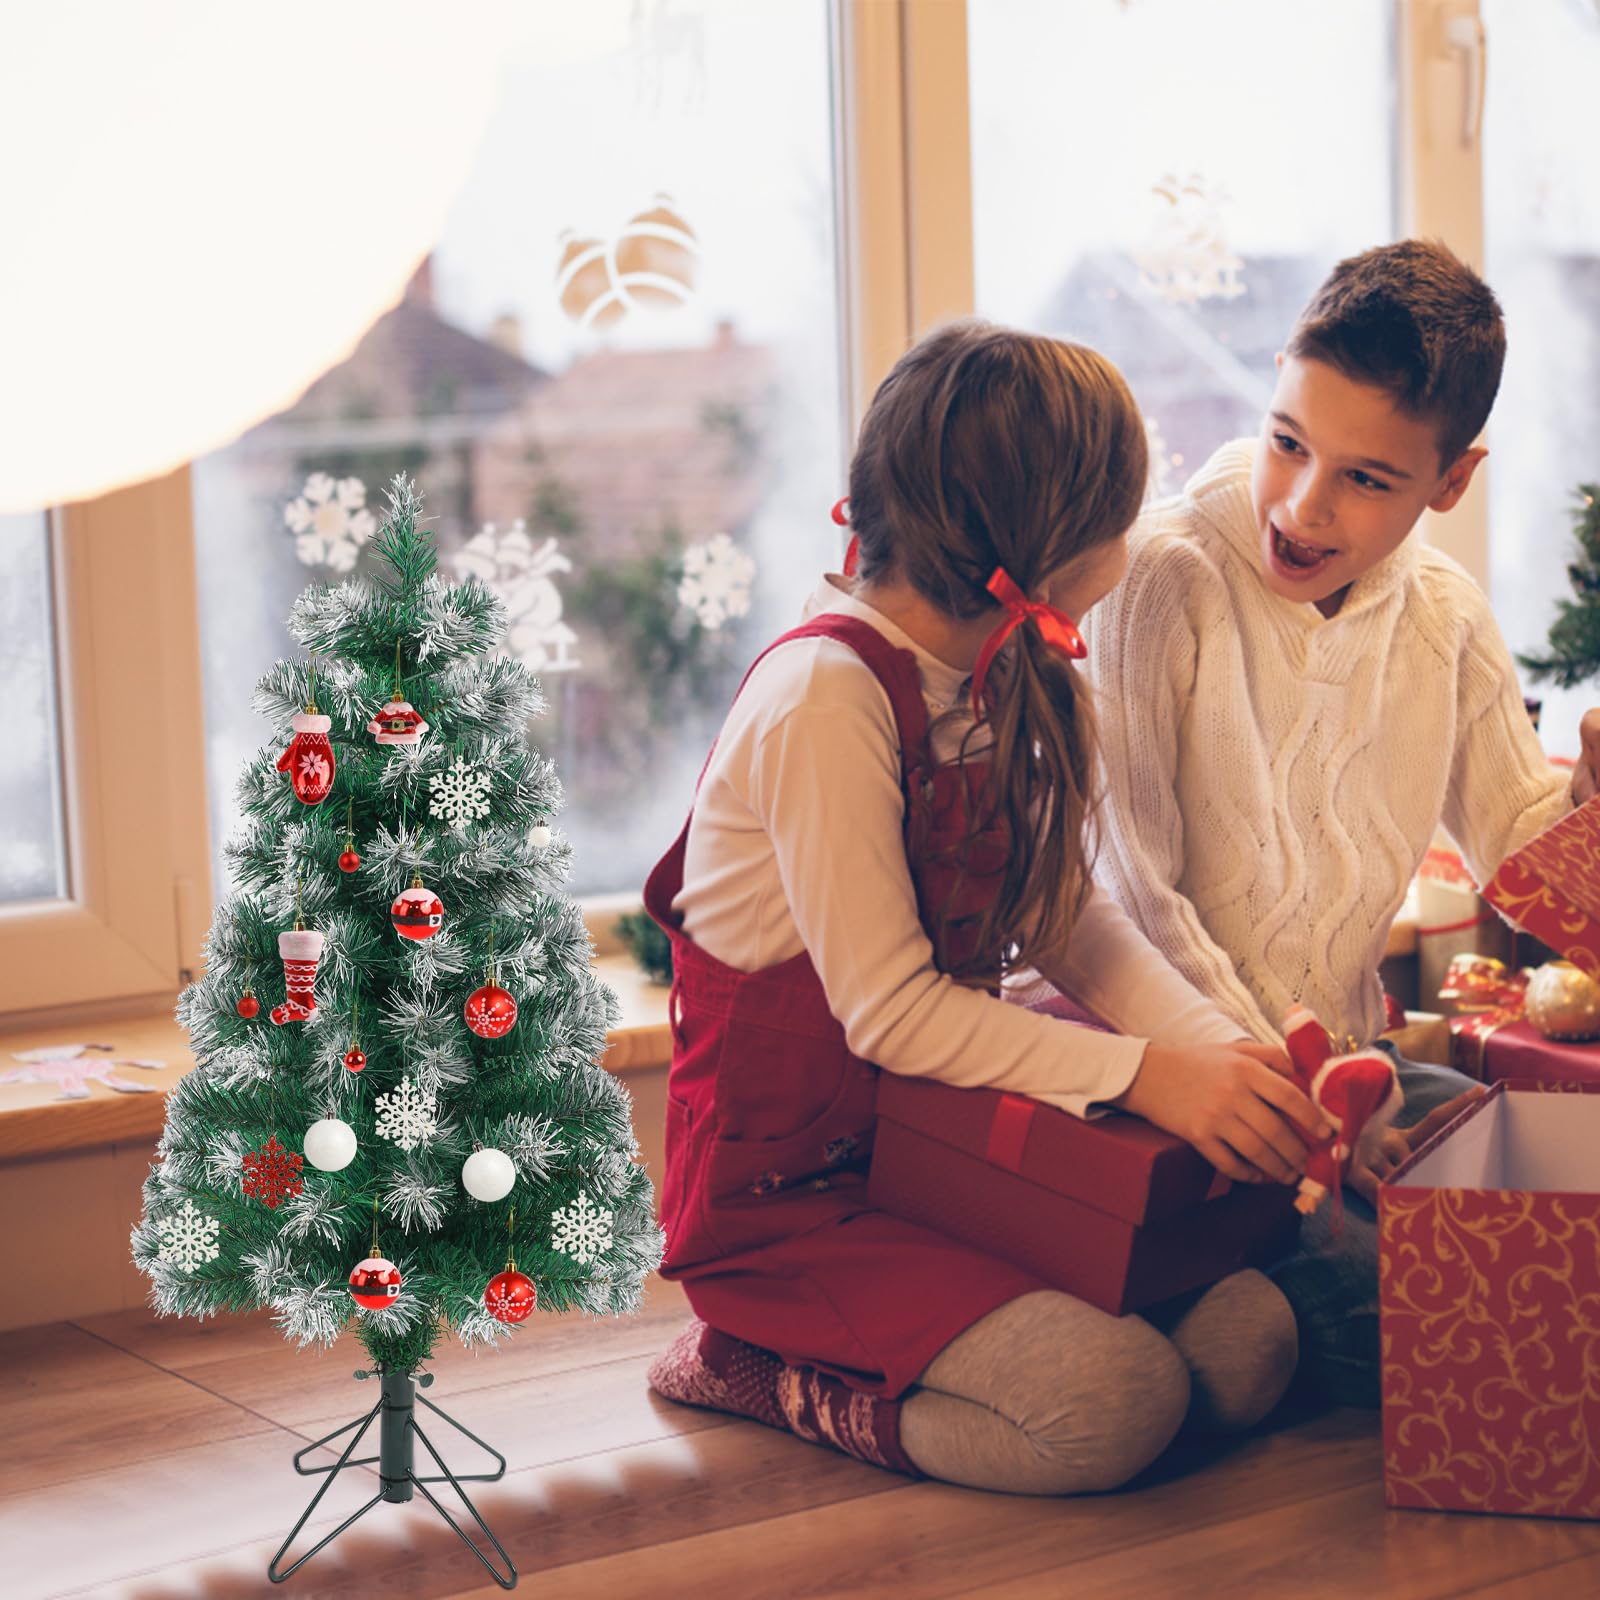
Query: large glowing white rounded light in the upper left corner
point(207, 204)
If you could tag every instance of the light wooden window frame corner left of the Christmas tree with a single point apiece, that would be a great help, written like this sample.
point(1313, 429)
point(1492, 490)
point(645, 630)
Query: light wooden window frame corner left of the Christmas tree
point(129, 932)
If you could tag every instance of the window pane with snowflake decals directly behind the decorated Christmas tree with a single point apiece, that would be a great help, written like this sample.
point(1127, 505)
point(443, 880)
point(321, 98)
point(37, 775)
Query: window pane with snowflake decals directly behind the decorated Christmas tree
point(617, 382)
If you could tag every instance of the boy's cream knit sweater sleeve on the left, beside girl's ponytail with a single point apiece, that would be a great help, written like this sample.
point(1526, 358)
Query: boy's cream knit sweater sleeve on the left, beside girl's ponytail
point(1143, 660)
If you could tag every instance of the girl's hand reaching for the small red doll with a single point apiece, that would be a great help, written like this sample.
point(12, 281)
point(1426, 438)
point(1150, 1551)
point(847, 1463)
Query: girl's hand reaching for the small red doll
point(1233, 1103)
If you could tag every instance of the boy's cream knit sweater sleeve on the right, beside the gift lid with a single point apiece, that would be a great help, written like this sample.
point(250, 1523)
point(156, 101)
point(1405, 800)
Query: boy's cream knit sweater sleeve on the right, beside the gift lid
point(1503, 790)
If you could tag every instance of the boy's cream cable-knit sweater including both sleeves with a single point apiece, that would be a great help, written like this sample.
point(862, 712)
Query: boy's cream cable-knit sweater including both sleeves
point(1276, 777)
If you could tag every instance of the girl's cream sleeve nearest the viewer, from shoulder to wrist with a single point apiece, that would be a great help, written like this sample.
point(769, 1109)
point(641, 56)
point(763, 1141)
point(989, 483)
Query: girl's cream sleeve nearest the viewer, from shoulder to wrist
point(828, 793)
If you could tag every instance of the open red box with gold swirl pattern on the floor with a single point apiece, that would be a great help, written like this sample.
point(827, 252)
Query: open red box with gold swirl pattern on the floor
point(1489, 1263)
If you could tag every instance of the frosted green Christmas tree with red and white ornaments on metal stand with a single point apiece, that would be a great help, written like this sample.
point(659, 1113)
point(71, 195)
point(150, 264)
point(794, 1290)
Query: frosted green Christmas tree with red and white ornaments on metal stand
point(334, 921)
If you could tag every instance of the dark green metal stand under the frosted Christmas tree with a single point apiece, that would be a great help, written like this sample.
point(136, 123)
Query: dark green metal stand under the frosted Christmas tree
point(398, 1474)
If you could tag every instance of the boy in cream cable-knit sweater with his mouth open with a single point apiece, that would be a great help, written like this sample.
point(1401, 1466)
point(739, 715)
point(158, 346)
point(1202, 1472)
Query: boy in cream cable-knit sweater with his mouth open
point(1295, 694)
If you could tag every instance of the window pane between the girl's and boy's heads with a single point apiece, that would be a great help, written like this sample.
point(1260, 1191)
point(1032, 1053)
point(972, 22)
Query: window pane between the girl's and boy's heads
point(1148, 178)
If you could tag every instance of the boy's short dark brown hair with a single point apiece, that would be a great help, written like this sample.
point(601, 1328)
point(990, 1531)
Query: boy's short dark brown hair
point(1418, 322)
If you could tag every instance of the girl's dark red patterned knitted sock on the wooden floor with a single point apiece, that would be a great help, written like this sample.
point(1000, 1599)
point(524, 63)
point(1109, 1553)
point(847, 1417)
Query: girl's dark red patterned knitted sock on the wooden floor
point(711, 1369)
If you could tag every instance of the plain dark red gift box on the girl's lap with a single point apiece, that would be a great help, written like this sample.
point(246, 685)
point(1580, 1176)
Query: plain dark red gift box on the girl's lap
point(1113, 1210)
